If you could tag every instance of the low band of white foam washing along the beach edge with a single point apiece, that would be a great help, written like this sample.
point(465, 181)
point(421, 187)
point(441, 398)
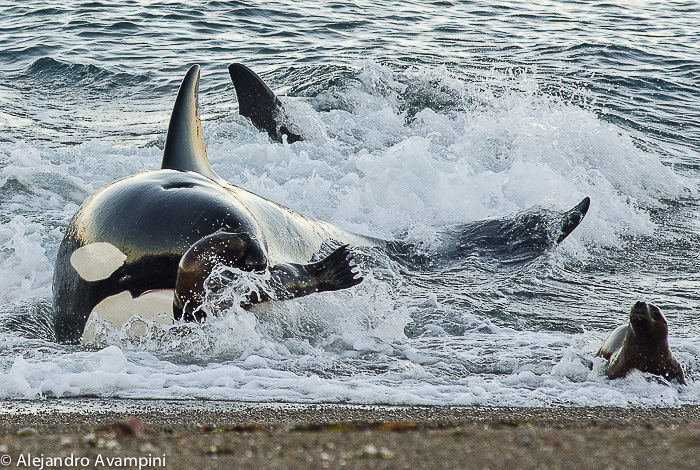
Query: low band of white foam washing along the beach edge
point(265, 376)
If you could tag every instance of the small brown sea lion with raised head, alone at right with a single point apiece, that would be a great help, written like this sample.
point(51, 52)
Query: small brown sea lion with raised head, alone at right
point(641, 344)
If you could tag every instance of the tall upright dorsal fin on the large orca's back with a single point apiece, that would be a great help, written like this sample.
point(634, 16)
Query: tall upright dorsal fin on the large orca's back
point(184, 144)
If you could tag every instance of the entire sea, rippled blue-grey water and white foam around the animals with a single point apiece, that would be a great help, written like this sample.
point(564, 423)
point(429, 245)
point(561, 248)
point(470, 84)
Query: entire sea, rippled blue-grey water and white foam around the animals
point(419, 116)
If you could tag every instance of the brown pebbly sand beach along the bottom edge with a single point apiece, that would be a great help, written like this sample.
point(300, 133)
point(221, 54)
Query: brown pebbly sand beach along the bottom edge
point(105, 433)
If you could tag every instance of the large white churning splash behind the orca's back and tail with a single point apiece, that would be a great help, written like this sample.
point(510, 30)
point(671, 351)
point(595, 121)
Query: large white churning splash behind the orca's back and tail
point(376, 173)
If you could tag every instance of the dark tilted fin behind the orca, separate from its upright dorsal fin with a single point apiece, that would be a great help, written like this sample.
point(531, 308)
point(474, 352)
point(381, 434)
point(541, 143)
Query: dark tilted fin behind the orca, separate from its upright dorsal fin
point(258, 103)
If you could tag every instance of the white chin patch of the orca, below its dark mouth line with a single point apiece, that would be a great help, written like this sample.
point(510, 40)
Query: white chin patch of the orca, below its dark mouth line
point(122, 308)
